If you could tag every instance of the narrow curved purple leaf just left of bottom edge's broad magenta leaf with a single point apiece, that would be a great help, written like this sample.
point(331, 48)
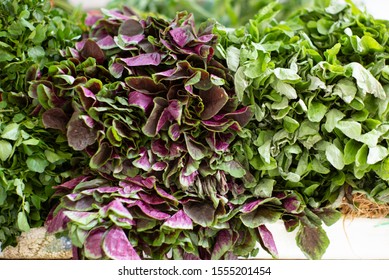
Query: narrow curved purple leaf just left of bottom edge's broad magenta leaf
point(93, 244)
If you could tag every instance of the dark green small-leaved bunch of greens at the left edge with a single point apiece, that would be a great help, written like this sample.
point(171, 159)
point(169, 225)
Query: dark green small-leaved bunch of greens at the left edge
point(32, 160)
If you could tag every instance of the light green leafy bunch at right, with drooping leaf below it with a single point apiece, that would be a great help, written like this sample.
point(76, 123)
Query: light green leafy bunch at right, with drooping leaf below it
point(318, 86)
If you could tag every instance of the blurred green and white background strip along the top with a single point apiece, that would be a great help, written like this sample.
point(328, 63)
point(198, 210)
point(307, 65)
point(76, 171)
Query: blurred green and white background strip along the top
point(228, 12)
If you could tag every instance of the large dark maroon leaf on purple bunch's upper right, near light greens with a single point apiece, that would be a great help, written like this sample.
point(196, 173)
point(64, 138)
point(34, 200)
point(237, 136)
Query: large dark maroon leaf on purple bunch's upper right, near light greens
point(214, 100)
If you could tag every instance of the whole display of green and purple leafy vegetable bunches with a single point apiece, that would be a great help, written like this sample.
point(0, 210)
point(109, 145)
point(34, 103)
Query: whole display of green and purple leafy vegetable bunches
point(148, 136)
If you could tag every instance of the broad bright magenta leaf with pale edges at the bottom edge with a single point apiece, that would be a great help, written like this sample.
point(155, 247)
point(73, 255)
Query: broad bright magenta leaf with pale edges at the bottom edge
point(117, 246)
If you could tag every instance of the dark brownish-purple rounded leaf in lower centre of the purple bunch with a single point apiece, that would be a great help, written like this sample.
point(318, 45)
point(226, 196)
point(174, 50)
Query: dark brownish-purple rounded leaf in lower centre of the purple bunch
point(201, 213)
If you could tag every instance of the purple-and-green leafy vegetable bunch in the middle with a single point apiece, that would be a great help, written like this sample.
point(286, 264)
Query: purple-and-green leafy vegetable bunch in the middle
point(157, 114)
